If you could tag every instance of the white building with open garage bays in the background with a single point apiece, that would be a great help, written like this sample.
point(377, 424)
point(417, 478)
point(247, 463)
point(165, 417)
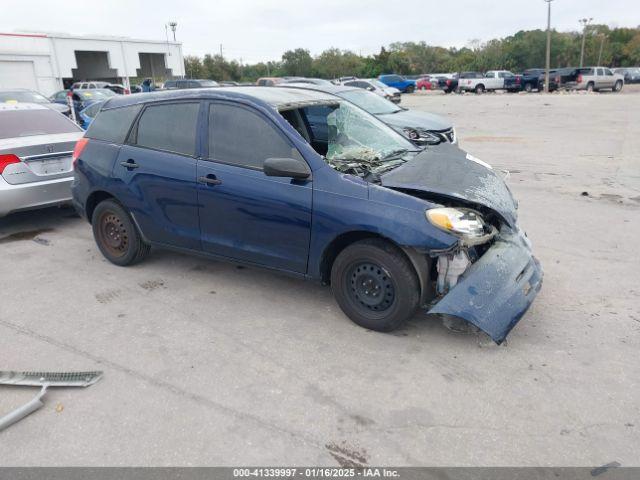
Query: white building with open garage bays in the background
point(48, 62)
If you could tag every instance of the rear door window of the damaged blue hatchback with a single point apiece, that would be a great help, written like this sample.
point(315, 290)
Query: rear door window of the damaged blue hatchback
point(170, 127)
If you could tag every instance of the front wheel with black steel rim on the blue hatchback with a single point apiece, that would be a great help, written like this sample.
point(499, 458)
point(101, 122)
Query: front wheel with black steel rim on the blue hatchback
point(375, 285)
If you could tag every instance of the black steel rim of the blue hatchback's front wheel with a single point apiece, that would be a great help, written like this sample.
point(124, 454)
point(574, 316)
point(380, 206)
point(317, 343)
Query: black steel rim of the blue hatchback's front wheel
point(370, 287)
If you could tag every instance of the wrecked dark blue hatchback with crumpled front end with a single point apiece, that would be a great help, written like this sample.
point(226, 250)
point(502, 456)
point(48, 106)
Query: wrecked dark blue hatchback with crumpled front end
point(307, 183)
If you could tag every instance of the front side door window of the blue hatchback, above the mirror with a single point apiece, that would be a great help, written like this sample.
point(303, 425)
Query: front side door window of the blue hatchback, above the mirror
point(239, 136)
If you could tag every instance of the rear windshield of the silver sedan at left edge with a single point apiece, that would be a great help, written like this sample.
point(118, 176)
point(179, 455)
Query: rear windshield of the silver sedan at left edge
point(26, 123)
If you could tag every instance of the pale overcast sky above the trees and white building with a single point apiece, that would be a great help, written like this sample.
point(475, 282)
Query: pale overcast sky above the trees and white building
point(260, 30)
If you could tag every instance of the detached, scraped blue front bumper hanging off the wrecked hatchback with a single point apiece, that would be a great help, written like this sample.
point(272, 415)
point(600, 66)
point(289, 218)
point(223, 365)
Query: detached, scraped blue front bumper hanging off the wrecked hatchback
point(497, 289)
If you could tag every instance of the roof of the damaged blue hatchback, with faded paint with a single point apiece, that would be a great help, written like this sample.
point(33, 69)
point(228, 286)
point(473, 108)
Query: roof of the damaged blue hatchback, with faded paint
point(277, 97)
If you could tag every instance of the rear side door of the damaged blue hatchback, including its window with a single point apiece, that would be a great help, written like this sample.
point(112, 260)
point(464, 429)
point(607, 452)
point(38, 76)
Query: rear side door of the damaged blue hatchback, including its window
point(157, 173)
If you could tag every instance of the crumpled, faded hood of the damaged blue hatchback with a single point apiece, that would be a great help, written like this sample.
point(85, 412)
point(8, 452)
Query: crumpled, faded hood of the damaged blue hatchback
point(451, 172)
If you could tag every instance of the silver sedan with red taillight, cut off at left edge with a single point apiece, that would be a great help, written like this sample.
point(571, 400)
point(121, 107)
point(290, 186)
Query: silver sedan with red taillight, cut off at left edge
point(36, 143)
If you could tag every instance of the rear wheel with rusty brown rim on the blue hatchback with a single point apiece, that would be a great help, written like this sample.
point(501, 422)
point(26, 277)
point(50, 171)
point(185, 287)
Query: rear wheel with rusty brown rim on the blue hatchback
point(116, 235)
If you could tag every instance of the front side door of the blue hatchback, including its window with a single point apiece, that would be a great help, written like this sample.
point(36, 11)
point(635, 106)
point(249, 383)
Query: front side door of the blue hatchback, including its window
point(244, 214)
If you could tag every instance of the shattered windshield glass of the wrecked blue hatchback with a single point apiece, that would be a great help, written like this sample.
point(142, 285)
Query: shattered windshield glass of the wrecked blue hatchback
point(360, 144)
